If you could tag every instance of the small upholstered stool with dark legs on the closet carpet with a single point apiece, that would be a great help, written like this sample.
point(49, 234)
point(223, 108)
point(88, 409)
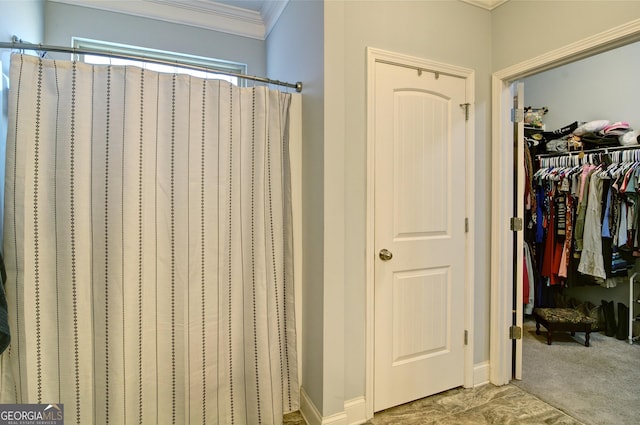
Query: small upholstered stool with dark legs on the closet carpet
point(563, 319)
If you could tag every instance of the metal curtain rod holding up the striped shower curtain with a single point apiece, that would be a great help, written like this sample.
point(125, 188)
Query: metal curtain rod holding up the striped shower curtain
point(76, 51)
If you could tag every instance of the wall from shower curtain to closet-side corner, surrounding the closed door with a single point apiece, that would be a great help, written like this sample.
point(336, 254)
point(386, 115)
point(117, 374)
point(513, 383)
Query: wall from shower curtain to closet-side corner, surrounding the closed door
point(334, 161)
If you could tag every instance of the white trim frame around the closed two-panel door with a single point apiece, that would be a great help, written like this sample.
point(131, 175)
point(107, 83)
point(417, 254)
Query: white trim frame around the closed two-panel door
point(374, 55)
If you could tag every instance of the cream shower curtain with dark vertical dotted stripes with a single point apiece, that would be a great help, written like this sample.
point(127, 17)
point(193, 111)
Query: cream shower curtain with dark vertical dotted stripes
point(148, 247)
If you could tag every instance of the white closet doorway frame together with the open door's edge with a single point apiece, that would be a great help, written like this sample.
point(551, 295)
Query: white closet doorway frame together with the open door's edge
point(506, 313)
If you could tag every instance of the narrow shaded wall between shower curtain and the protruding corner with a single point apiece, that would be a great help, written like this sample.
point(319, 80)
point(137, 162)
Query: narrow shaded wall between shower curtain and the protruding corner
point(295, 52)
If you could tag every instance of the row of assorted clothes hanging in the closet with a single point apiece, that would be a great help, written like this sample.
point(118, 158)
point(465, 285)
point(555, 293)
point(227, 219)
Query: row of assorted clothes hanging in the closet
point(584, 215)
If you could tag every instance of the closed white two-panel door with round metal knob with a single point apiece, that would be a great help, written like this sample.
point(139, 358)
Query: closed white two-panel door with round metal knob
point(419, 233)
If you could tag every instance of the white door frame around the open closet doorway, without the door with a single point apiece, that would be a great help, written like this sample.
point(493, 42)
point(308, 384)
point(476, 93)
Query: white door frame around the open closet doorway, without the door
point(500, 356)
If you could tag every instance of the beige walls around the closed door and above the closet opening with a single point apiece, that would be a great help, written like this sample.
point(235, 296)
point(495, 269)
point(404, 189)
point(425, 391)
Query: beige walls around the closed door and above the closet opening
point(446, 31)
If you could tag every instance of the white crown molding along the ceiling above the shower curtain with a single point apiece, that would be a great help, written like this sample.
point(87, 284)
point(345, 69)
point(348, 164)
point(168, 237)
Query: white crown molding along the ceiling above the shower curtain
point(205, 14)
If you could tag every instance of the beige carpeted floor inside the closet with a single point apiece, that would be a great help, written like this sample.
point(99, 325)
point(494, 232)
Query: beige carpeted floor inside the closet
point(598, 385)
